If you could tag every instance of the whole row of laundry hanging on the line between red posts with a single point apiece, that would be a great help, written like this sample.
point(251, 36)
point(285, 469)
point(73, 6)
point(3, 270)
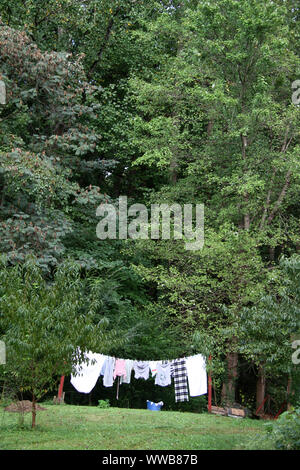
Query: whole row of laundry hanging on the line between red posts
point(189, 373)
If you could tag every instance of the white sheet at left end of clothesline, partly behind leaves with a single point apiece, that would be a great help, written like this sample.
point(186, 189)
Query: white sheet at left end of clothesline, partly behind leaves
point(86, 374)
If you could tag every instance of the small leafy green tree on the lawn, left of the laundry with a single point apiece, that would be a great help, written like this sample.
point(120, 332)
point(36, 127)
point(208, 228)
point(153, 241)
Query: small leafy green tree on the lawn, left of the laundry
point(47, 328)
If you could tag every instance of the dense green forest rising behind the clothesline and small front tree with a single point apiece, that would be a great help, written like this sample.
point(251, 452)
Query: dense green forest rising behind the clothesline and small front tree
point(168, 101)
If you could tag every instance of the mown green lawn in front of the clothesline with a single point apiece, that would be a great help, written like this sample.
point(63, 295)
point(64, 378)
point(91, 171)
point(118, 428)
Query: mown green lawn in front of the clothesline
point(64, 427)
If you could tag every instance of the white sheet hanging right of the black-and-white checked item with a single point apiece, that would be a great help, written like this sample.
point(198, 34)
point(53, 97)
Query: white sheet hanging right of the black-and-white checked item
point(197, 376)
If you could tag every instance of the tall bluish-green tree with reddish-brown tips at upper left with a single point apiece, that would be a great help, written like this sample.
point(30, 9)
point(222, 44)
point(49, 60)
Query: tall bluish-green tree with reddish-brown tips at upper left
point(44, 141)
